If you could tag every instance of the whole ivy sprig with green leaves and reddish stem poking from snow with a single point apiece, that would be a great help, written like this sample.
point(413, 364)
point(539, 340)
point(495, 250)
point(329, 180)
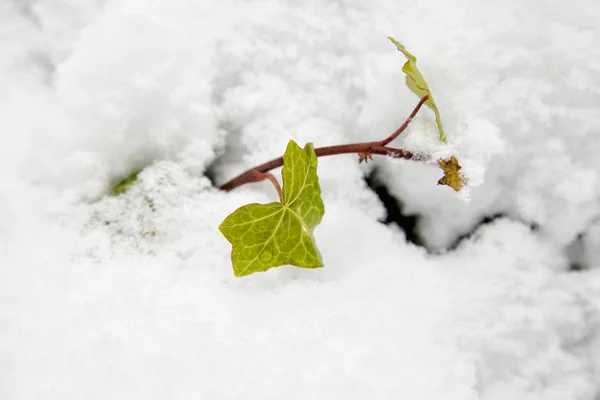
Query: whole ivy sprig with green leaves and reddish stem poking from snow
point(264, 236)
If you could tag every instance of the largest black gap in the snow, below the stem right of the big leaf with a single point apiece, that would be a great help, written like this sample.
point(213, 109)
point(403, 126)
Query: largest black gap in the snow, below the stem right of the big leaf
point(393, 207)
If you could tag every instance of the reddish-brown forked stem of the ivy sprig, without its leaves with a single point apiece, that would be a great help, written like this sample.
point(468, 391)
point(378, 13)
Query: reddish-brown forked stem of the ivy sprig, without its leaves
point(257, 173)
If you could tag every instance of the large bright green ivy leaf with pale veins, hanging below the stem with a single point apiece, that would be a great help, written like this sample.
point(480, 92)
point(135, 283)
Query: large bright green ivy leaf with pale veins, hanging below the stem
point(264, 236)
